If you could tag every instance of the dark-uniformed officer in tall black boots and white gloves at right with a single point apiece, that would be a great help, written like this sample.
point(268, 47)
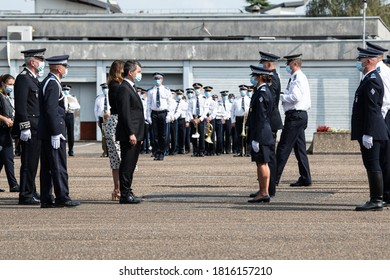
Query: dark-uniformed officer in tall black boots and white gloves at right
point(369, 128)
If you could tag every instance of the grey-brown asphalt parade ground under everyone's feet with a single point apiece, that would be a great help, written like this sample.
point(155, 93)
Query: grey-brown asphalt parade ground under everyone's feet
point(196, 208)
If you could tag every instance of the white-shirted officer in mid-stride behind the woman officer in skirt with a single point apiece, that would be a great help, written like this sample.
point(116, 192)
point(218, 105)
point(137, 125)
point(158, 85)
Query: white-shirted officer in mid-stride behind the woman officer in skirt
point(296, 102)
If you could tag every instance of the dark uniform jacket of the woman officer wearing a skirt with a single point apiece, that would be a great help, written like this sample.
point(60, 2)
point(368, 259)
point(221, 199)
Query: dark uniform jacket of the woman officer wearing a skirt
point(261, 106)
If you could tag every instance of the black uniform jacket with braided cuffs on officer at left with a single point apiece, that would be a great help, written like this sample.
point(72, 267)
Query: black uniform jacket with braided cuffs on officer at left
point(26, 103)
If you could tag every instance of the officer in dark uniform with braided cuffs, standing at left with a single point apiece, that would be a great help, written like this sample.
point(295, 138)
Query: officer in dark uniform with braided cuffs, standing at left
point(26, 123)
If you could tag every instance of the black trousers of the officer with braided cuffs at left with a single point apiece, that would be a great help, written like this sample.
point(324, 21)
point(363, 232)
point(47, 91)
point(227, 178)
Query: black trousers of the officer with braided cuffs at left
point(29, 157)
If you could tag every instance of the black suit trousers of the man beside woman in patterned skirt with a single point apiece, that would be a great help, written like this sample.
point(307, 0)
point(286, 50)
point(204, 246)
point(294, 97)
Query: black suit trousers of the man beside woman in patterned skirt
point(129, 159)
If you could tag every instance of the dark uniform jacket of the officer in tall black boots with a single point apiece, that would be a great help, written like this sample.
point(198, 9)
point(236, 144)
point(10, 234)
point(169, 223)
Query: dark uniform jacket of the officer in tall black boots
point(366, 112)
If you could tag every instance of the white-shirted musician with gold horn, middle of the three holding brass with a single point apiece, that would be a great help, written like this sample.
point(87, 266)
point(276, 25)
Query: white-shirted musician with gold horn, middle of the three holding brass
point(212, 107)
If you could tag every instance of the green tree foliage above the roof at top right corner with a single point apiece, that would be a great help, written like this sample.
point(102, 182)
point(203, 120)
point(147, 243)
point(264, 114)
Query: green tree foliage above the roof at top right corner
point(345, 8)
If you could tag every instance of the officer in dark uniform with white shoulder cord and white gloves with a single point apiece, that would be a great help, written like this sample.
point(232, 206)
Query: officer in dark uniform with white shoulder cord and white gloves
point(52, 131)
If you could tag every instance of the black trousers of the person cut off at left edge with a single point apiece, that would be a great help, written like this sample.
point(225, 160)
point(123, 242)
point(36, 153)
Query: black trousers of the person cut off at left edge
point(7, 156)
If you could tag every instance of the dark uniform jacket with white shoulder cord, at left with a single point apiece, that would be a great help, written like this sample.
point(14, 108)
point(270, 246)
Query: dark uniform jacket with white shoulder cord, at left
point(52, 108)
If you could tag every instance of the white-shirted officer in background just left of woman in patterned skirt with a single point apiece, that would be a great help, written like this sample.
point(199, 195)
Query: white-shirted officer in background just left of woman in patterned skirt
point(102, 113)
